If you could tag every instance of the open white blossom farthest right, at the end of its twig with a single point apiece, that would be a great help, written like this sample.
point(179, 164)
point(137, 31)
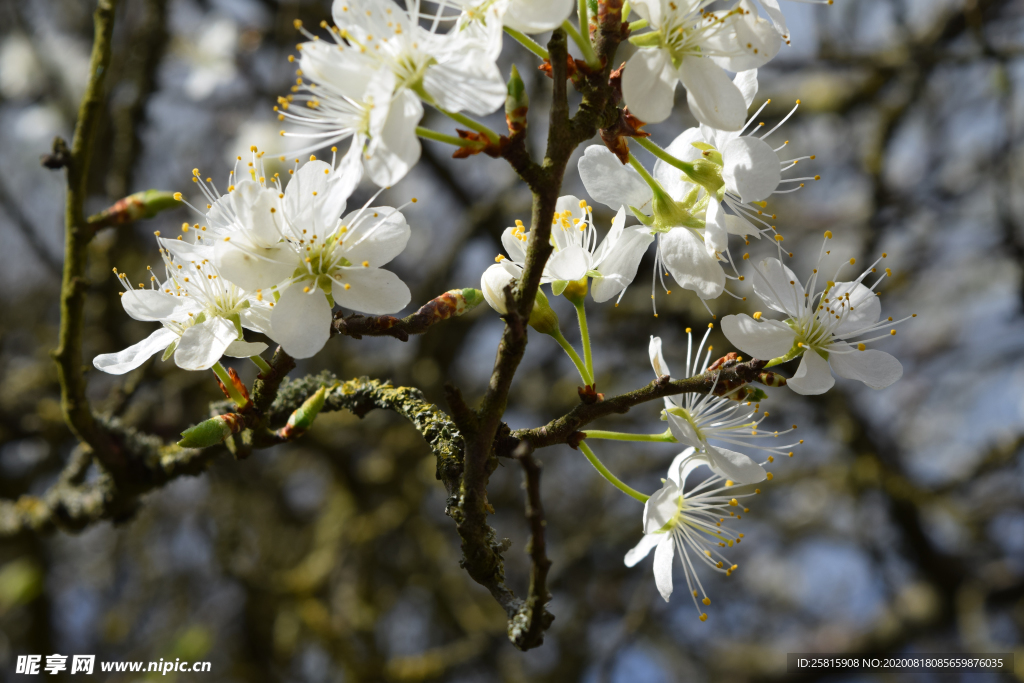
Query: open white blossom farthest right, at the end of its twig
point(830, 323)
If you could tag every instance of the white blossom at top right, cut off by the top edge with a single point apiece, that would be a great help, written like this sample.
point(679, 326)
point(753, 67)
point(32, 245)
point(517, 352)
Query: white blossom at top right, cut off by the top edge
point(694, 47)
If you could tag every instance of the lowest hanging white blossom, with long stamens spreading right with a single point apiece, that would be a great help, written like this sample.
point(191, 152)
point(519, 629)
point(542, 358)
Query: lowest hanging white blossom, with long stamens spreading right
point(694, 525)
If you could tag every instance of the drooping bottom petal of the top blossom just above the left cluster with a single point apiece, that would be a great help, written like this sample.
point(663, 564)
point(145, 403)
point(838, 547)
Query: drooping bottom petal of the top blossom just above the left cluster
point(398, 149)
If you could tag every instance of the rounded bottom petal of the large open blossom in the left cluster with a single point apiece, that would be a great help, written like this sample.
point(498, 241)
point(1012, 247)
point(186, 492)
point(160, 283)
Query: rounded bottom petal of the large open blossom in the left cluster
point(302, 322)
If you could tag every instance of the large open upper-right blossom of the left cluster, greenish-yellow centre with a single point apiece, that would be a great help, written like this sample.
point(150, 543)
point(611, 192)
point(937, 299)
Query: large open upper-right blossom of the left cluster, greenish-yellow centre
point(298, 241)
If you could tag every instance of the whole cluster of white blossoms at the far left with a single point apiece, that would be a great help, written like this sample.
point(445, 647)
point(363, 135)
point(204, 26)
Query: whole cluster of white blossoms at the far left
point(269, 257)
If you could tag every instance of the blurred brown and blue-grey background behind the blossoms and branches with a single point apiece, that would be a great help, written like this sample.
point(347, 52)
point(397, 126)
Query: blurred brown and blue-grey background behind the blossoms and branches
point(898, 528)
